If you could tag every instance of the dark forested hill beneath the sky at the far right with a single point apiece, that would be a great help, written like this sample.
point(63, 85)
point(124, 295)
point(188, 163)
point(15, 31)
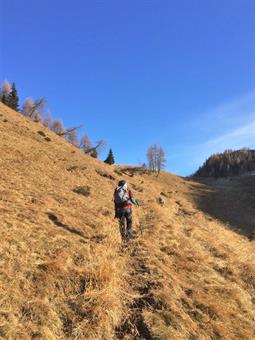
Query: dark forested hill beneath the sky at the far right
point(229, 163)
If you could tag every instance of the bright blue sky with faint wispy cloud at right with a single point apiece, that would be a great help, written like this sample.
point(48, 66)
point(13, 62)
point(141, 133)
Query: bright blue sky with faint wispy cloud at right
point(179, 73)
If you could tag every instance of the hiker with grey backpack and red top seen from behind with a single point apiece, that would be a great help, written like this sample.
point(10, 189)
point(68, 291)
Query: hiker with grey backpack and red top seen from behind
point(123, 200)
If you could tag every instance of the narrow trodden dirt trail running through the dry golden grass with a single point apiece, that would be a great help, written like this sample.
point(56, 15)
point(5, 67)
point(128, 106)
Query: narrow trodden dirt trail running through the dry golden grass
point(142, 284)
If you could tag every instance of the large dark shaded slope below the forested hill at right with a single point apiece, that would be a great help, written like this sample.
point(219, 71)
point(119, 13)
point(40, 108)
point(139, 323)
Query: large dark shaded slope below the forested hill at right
point(232, 201)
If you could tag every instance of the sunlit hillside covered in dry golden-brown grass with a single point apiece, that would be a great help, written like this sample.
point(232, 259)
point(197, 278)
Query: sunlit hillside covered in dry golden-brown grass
point(64, 274)
